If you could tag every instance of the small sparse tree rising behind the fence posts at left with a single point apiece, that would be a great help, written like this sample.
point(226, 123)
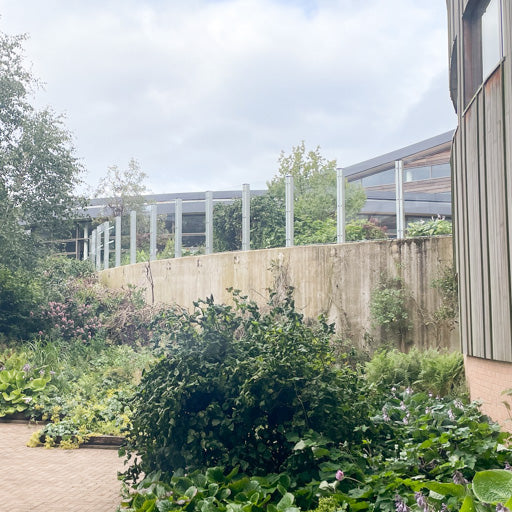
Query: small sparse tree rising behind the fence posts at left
point(123, 188)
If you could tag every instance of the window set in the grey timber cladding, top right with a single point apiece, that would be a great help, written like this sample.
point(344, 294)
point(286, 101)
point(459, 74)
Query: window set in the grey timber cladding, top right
point(483, 48)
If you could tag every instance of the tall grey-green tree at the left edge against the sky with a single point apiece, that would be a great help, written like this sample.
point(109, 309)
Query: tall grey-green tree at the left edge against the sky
point(38, 169)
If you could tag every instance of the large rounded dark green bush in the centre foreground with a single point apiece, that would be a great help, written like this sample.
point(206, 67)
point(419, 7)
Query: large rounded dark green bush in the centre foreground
point(241, 387)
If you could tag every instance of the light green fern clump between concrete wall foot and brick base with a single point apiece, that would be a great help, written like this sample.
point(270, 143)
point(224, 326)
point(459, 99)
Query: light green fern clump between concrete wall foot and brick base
point(439, 373)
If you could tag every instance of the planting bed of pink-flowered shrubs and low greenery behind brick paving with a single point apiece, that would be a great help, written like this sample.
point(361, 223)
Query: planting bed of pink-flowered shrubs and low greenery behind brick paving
point(82, 360)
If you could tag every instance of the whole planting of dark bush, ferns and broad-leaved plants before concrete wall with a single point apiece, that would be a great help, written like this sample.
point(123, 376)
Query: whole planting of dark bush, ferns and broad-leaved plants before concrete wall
point(252, 410)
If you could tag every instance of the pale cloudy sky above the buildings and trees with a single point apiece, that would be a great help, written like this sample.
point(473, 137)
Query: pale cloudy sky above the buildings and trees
point(205, 94)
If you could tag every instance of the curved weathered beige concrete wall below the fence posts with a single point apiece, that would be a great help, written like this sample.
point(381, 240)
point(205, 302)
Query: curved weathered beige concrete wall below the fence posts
point(335, 280)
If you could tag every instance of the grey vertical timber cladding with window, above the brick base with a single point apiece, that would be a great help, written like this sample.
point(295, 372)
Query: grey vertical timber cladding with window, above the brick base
point(480, 54)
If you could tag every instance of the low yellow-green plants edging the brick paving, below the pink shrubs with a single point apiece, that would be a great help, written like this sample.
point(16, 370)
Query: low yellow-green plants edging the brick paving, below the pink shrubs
point(90, 388)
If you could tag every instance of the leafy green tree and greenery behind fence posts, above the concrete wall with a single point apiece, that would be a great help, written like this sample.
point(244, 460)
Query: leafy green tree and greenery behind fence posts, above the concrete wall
point(314, 205)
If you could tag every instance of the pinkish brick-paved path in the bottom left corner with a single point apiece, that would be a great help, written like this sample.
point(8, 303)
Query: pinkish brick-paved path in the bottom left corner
point(41, 480)
